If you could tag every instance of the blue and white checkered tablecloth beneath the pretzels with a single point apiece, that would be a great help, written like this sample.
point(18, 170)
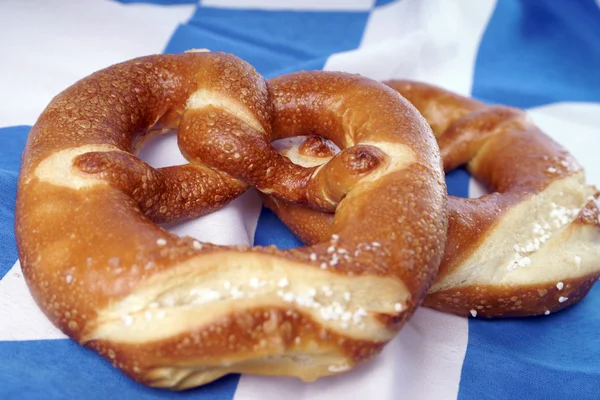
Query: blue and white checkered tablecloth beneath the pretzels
point(542, 55)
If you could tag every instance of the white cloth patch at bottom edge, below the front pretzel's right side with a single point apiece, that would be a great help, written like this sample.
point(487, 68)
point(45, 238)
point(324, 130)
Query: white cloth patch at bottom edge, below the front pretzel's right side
point(408, 368)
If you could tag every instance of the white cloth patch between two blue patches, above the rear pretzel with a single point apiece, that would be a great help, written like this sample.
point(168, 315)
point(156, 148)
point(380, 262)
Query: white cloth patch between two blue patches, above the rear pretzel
point(431, 40)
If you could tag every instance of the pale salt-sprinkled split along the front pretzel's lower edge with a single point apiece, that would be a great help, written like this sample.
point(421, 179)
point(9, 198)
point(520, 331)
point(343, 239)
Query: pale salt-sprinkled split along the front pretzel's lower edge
point(339, 302)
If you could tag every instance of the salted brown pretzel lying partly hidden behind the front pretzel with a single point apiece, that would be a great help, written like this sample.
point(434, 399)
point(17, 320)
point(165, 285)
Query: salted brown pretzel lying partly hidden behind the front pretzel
point(530, 247)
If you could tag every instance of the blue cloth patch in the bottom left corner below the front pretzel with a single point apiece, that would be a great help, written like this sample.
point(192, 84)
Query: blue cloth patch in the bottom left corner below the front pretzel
point(43, 369)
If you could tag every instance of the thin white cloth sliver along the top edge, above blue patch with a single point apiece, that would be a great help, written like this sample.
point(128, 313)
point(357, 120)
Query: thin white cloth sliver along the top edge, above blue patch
point(293, 5)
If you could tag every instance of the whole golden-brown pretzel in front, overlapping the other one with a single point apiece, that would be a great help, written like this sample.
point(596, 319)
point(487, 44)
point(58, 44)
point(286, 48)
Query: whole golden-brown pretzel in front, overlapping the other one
point(172, 312)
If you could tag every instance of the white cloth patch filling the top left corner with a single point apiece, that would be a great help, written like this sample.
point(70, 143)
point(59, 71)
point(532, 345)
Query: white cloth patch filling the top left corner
point(67, 40)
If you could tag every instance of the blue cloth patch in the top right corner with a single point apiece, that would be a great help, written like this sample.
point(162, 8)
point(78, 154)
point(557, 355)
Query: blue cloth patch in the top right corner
point(540, 52)
